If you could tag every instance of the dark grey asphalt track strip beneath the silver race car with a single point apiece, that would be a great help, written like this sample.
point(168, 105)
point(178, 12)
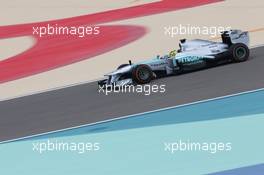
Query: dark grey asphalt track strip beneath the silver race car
point(83, 104)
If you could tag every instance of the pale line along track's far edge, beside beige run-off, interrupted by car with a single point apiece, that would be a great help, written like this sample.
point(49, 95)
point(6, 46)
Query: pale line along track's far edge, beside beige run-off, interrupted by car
point(75, 84)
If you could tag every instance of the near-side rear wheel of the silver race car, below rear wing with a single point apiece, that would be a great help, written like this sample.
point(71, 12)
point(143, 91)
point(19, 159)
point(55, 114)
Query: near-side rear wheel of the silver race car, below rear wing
point(239, 52)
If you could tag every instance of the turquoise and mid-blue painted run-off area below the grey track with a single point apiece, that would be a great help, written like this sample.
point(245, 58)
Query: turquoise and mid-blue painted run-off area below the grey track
point(136, 145)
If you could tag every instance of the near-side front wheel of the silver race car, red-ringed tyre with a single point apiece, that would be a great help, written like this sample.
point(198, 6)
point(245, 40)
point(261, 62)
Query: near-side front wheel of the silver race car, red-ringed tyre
point(142, 74)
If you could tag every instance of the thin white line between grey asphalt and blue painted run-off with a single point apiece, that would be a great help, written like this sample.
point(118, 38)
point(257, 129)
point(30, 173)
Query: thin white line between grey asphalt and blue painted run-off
point(133, 115)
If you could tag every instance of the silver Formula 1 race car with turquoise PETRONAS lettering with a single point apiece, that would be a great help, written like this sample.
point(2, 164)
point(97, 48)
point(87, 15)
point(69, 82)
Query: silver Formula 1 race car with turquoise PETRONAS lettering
point(192, 55)
